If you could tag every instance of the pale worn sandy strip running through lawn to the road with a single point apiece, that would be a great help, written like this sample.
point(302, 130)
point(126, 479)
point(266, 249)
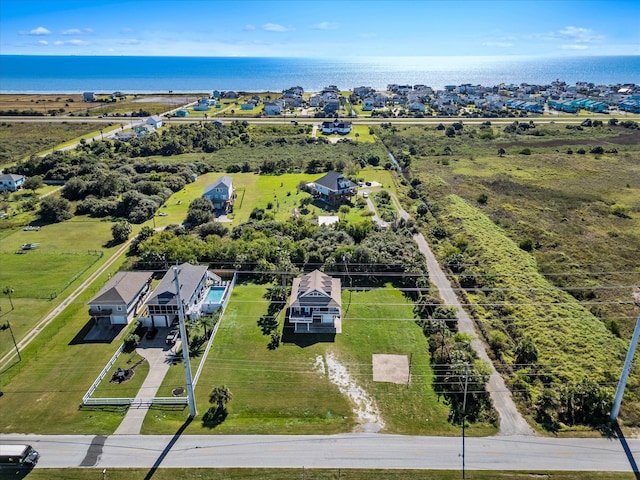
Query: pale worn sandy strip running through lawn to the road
point(365, 408)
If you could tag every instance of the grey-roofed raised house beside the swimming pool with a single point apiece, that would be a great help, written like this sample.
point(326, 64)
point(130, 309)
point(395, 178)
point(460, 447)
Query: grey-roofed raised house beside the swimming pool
point(162, 305)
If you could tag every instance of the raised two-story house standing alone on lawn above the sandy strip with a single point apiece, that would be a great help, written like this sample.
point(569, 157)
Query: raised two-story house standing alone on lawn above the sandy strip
point(316, 304)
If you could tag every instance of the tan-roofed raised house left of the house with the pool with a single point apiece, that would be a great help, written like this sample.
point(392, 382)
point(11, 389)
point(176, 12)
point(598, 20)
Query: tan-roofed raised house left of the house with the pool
point(120, 299)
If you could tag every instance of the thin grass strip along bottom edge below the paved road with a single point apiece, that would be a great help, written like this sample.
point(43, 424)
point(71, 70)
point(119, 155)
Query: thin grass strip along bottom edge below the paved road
point(308, 474)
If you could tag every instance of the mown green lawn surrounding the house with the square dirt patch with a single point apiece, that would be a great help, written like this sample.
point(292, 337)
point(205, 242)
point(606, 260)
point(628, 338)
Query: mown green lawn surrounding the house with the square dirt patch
point(287, 389)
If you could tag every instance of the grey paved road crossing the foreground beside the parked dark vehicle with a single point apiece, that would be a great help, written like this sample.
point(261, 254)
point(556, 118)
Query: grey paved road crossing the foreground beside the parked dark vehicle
point(330, 451)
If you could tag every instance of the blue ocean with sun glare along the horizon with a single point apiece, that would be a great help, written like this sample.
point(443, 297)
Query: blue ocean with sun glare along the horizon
point(73, 74)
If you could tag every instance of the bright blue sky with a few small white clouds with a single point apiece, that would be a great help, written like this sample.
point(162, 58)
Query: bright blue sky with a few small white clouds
point(320, 28)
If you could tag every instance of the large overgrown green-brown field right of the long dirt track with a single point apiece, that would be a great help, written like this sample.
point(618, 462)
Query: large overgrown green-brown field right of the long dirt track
point(527, 220)
